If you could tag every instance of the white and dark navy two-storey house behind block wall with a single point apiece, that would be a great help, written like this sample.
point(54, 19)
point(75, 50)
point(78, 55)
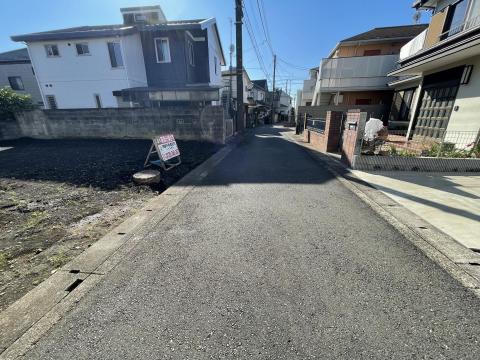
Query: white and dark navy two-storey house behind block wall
point(146, 61)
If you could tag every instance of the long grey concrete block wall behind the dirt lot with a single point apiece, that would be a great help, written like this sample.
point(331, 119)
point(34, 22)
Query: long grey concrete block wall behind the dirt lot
point(186, 123)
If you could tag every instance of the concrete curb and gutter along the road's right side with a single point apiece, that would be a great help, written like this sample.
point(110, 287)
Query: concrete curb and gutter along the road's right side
point(442, 249)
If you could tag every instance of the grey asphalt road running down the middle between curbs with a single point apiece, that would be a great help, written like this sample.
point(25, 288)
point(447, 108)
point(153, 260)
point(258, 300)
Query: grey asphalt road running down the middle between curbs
point(271, 258)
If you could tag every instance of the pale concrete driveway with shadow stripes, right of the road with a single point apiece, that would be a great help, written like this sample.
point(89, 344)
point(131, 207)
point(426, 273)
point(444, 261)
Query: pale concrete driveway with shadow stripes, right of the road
point(451, 202)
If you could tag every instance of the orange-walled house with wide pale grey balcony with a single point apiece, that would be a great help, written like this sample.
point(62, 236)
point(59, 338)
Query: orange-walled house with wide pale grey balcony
point(355, 72)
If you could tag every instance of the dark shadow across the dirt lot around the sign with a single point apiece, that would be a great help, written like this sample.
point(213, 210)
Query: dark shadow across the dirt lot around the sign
point(100, 163)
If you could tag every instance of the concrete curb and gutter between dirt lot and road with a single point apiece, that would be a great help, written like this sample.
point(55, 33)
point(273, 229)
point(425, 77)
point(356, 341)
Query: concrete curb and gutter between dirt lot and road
point(24, 322)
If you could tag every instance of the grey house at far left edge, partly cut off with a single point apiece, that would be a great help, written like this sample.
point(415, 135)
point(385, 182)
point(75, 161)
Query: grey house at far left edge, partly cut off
point(17, 73)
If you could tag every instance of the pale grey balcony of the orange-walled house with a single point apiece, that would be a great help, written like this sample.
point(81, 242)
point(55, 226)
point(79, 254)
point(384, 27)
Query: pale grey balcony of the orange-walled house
point(362, 73)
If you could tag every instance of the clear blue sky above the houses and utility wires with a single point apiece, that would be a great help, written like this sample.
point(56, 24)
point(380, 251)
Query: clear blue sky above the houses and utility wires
point(301, 31)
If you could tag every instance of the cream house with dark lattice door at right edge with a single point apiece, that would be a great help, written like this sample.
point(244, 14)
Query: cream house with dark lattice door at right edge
point(439, 86)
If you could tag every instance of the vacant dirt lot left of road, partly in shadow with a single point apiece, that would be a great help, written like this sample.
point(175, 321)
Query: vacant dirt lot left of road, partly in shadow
point(58, 196)
